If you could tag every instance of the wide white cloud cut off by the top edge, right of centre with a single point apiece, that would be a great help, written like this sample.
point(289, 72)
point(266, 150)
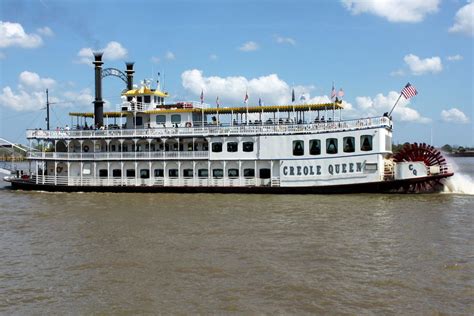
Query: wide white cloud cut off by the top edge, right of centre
point(410, 11)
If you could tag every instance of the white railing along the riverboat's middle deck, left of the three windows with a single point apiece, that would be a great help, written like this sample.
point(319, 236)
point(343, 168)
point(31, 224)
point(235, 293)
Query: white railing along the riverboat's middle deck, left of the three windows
point(153, 155)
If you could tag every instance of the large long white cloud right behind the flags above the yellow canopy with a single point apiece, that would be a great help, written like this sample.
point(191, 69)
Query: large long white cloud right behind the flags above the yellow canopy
point(231, 90)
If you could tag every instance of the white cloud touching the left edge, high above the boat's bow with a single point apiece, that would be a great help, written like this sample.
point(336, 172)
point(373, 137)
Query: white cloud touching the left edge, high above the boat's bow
point(13, 34)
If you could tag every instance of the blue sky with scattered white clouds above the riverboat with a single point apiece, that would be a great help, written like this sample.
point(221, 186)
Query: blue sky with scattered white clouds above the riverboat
point(226, 48)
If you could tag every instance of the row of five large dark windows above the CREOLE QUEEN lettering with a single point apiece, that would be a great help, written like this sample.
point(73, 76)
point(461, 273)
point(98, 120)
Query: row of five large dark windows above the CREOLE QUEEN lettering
point(348, 145)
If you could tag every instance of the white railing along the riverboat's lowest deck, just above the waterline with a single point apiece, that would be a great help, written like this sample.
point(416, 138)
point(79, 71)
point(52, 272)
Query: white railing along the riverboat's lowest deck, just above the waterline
point(172, 182)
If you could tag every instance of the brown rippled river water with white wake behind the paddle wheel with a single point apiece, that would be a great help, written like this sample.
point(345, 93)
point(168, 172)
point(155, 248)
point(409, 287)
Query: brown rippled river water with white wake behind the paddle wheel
point(100, 253)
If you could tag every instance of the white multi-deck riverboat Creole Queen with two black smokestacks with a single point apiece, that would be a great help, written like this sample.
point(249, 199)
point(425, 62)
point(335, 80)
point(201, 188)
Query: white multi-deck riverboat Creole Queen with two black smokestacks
point(190, 147)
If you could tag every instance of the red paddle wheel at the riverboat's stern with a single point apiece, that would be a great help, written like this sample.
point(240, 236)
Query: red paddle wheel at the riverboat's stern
point(431, 157)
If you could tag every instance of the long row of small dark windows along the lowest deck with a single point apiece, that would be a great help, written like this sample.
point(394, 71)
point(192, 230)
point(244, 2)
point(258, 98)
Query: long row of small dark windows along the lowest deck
point(264, 173)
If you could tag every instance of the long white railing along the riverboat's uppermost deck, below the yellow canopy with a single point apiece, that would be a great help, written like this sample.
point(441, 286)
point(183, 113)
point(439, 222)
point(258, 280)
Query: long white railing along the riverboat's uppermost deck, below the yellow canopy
point(214, 130)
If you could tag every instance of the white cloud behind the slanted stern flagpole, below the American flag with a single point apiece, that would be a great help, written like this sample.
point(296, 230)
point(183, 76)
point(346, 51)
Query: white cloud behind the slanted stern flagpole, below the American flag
point(376, 106)
